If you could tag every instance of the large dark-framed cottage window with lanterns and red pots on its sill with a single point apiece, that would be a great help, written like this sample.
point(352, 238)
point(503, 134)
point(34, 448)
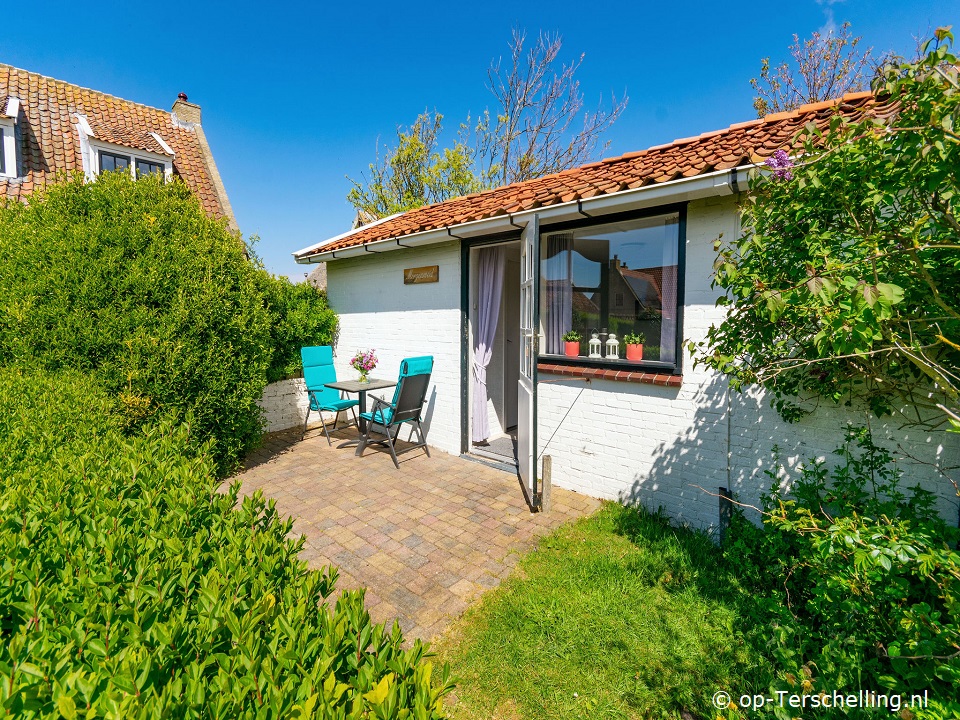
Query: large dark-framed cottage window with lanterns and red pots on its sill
point(618, 278)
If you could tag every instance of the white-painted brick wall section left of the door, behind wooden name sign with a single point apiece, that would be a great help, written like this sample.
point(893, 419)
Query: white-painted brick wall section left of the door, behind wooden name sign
point(378, 311)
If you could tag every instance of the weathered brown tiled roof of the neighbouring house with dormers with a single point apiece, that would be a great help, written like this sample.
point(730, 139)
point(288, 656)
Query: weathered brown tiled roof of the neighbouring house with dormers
point(49, 139)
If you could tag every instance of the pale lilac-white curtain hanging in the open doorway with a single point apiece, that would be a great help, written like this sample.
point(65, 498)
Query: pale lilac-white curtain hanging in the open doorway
point(490, 286)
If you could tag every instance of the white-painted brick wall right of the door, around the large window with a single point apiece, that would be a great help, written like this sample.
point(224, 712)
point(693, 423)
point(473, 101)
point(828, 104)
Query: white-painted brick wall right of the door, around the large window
point(655, 445)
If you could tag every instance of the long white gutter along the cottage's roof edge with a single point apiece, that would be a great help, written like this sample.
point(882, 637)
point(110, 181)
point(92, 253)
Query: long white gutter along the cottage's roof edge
point(719, 183)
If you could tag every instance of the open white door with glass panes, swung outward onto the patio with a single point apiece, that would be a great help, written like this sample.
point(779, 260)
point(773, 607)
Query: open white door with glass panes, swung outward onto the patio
point(529, 348)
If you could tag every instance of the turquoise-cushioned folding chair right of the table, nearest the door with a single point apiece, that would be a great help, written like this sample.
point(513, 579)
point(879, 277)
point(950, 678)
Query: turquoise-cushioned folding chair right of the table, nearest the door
point(385, 419)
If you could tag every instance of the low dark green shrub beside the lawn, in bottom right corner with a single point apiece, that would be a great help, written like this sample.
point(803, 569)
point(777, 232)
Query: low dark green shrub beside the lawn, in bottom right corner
point(857, 582)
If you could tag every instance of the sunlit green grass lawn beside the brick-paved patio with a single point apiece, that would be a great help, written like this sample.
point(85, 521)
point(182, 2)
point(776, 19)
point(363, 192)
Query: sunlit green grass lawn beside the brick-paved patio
point(619, 615)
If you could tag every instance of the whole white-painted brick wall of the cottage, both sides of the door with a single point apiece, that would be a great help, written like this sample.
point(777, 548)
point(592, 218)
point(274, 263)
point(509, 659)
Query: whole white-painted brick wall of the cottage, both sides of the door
point(611, 439)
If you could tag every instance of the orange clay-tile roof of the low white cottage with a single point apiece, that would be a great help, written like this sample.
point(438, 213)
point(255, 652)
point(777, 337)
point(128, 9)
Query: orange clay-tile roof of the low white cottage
point(739, 145)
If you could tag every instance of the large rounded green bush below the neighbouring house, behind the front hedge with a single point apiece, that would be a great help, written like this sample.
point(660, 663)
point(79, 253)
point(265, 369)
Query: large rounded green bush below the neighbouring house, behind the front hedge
point(131, 281)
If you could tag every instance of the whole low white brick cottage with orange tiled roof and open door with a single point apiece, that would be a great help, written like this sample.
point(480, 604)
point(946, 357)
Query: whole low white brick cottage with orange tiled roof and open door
point(620, 246)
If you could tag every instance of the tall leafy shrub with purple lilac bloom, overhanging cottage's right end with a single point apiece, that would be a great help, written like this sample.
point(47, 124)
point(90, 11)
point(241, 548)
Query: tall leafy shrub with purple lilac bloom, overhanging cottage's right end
point(845, 280)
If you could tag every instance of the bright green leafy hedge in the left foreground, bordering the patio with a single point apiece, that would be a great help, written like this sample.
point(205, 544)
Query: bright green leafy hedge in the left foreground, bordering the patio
point(132, 589)
